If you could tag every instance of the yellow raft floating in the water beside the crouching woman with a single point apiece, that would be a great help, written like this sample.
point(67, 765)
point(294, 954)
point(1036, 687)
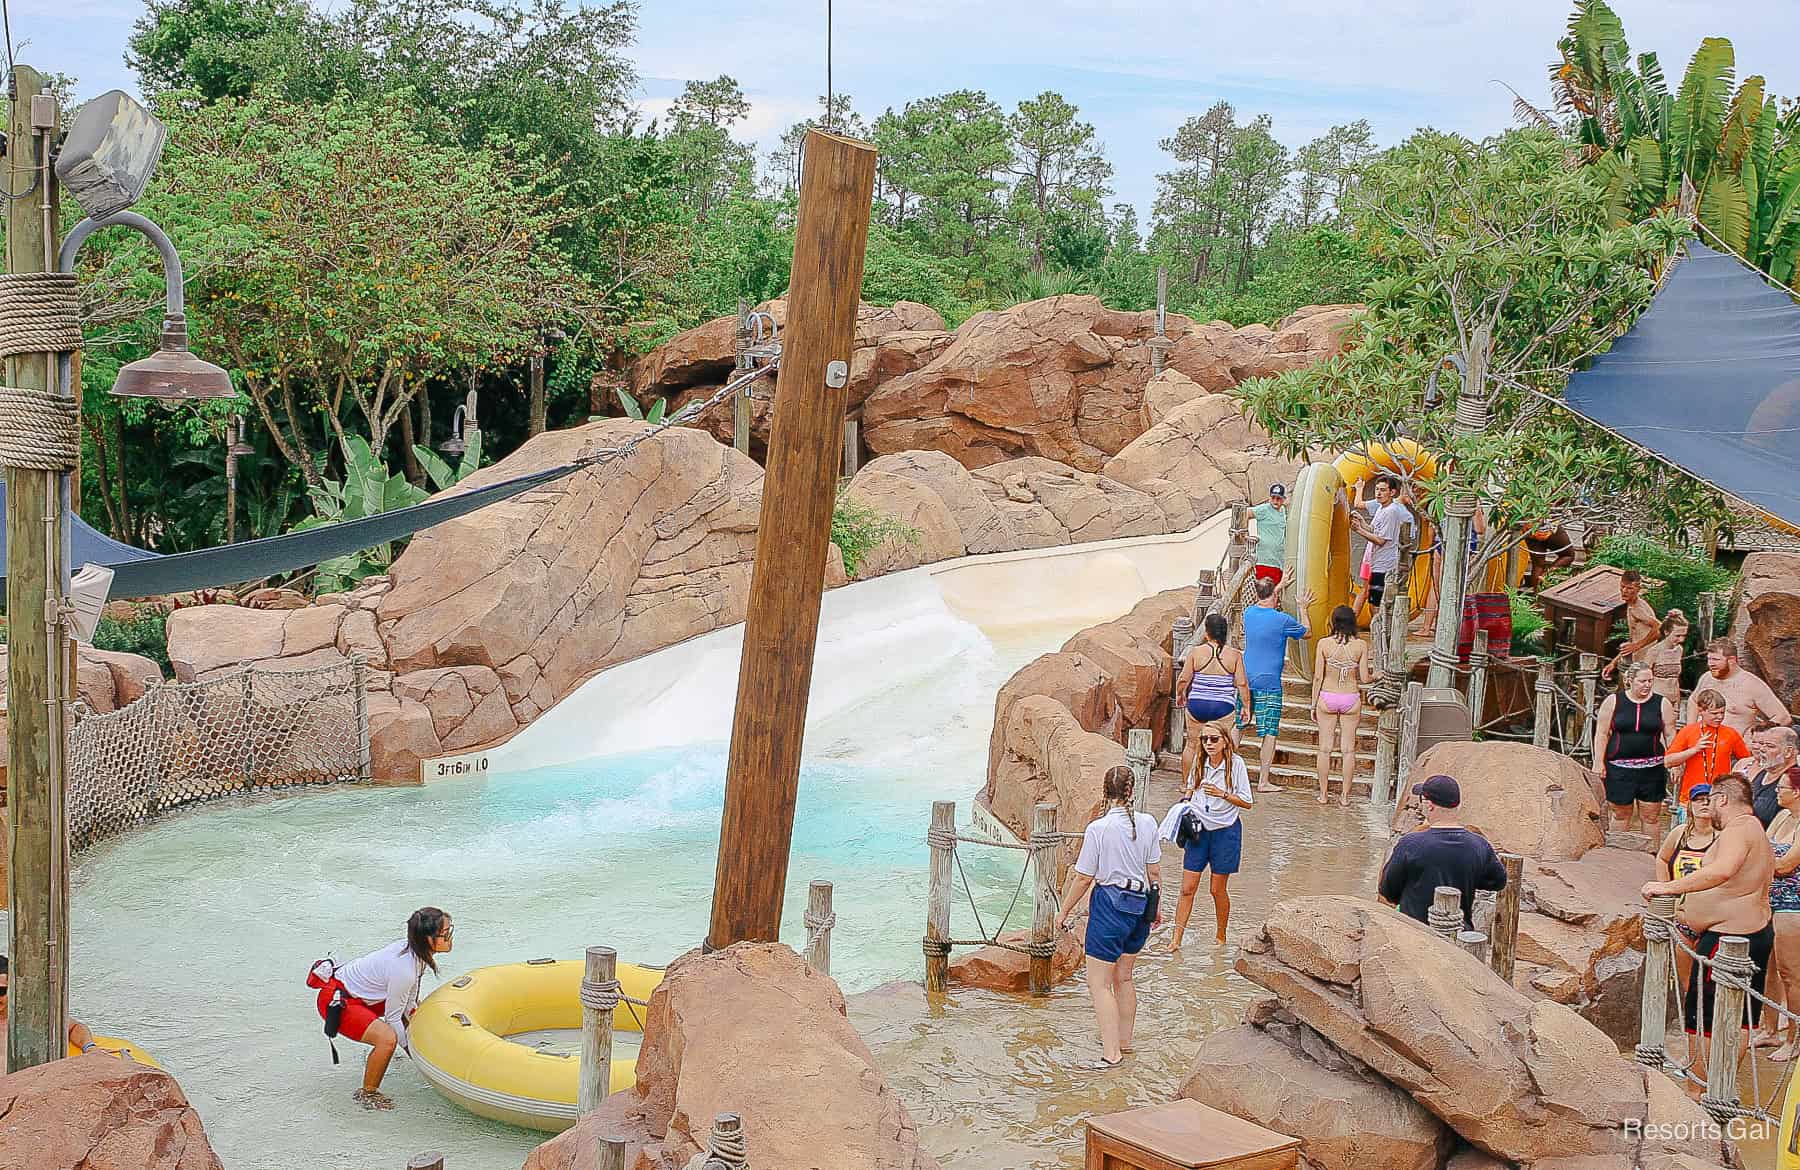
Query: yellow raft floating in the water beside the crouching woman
point(460, 1039)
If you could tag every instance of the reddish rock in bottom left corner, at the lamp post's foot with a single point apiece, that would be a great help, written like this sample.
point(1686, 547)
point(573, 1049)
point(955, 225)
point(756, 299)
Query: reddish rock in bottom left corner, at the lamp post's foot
point(100, 1113)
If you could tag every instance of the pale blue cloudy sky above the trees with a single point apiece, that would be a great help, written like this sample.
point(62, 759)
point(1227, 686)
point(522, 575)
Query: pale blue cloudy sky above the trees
point(1137, 69)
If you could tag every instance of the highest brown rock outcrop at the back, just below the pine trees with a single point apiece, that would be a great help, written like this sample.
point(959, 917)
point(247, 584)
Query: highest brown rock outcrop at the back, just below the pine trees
point(1065, 379)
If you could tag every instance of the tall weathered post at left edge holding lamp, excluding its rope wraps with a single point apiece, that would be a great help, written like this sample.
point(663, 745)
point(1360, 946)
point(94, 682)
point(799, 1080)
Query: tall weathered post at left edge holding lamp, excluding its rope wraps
point(39, 849)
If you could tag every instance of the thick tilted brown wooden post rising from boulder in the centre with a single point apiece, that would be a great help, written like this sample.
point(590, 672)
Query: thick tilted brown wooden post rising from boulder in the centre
point(800, 487)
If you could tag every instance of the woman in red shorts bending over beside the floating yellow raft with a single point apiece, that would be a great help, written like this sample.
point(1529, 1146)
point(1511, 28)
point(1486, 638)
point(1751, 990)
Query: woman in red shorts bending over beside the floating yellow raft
point(373, 998)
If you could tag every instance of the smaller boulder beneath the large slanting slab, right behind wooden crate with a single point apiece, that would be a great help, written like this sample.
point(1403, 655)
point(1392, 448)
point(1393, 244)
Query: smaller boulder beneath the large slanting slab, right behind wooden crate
point(1284, 1077)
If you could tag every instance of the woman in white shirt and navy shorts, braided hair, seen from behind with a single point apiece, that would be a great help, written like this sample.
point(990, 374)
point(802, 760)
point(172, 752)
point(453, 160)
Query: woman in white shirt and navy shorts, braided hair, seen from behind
point(1119, 861)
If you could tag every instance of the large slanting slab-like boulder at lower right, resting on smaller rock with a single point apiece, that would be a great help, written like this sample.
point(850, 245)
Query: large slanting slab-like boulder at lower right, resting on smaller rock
point(1520, 1079)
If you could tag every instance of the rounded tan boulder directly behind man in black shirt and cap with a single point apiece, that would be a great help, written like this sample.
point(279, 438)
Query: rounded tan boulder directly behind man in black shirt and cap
point(1525, 800)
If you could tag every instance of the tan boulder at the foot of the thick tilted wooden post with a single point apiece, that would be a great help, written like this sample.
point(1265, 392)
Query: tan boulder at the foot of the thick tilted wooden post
point(757, 1032)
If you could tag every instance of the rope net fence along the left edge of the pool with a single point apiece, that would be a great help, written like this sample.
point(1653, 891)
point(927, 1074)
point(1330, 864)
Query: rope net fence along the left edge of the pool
point(188, 742)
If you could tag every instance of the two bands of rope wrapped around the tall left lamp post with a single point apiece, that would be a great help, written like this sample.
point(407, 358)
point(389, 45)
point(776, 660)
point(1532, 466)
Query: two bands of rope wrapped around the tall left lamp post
point(39, 316)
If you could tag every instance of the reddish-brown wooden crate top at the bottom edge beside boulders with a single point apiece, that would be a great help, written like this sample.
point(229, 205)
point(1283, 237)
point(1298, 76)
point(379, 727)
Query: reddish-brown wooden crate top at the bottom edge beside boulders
point(1185, 1137)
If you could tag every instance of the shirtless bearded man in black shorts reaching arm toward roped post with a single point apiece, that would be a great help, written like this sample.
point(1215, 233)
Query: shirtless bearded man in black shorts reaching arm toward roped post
point(1727, 895)
